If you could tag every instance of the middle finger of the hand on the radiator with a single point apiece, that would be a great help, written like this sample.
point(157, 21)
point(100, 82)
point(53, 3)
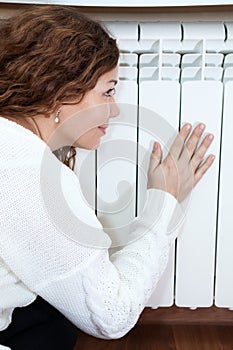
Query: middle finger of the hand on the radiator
point(192, 143)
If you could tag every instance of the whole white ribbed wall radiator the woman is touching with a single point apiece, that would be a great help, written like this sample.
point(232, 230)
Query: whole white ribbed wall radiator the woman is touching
point(170, 73)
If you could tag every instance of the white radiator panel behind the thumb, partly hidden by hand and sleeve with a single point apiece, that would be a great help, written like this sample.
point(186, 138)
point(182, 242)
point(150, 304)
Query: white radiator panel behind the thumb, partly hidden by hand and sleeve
point(158, 119)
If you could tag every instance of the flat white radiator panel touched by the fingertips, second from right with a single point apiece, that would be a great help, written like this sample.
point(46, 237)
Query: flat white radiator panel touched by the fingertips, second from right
point(201, 100)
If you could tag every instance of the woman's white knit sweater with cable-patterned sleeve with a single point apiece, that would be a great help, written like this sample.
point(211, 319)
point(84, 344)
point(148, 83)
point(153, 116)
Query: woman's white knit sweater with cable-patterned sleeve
point(102, 294)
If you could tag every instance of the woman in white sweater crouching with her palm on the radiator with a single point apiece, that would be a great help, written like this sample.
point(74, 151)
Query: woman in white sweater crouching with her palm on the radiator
point(56, 63)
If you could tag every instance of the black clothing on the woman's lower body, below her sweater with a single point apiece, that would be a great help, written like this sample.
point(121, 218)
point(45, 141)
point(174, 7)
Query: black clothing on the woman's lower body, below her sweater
point(39, 326)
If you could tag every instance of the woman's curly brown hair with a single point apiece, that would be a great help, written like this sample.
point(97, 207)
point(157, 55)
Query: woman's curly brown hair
point(50, 55)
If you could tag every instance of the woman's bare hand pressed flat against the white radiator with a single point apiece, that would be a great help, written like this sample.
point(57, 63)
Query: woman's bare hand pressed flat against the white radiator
point(183, 167)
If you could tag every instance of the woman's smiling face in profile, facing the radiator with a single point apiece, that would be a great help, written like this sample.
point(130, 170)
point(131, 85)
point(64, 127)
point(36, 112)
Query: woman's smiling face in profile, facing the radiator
point(94, 111)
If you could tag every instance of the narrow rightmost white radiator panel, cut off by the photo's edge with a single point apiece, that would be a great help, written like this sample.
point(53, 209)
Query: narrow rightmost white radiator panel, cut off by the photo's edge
point(224, 256)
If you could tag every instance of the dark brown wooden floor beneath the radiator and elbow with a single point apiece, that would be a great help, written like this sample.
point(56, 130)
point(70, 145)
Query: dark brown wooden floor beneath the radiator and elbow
point(164, 337)
